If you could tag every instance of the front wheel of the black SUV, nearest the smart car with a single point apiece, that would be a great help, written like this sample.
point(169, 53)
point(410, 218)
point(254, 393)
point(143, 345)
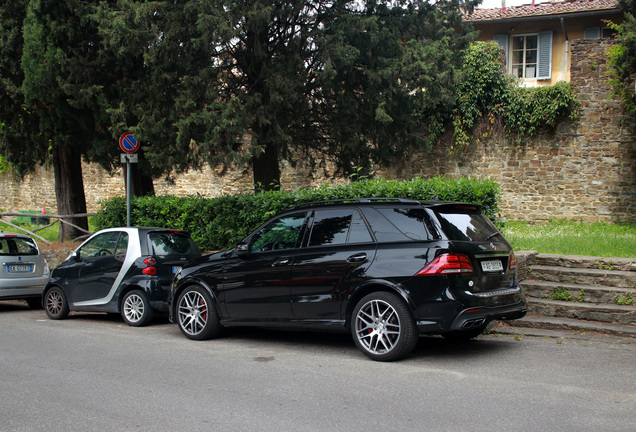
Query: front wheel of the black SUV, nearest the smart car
point(196, 314)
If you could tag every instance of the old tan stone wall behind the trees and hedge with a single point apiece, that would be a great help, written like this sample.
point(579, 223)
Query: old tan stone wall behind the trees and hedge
point(585, 170)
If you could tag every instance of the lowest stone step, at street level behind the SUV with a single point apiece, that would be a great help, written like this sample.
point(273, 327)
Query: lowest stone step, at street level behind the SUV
point(568, 324)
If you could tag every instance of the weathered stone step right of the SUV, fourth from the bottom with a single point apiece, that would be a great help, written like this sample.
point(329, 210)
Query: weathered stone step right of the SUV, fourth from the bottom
point(583, 276)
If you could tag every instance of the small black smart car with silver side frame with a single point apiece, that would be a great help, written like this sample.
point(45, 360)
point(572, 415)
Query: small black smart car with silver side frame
point(119, 270)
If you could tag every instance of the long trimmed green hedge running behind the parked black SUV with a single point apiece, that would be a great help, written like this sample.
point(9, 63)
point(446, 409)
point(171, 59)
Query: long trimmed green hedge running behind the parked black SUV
point(218, 223)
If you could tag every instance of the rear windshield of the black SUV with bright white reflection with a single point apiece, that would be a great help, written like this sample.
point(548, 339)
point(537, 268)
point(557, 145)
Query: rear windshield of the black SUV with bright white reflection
point(466, 224)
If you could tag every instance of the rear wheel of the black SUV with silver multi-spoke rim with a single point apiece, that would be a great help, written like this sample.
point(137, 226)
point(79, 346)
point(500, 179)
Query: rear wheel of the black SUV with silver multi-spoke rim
point(383, 327)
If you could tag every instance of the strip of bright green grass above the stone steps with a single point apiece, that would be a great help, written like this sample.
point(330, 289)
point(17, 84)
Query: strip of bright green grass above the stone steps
point(573, 238)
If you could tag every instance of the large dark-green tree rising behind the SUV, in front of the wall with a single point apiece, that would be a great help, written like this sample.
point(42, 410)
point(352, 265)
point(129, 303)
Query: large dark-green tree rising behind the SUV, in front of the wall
point(358, 82)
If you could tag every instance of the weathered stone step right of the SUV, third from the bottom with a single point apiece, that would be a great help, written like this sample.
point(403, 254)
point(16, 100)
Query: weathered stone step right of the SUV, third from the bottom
point(579, 293)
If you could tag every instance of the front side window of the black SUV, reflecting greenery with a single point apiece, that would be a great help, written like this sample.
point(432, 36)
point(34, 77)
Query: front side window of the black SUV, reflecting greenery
point(281, 233)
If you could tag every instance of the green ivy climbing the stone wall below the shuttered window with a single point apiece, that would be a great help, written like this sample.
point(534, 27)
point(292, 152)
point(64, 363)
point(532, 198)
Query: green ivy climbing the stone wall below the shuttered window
point(490, 99)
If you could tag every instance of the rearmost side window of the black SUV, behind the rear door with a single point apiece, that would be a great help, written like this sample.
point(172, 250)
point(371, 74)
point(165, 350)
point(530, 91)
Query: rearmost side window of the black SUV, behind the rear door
point(396, 224)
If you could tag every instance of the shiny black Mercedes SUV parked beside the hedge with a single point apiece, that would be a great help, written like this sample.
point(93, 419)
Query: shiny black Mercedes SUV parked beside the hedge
point(384, 269)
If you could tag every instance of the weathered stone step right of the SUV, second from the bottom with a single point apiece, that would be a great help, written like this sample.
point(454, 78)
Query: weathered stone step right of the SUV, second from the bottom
point(607, 313)
